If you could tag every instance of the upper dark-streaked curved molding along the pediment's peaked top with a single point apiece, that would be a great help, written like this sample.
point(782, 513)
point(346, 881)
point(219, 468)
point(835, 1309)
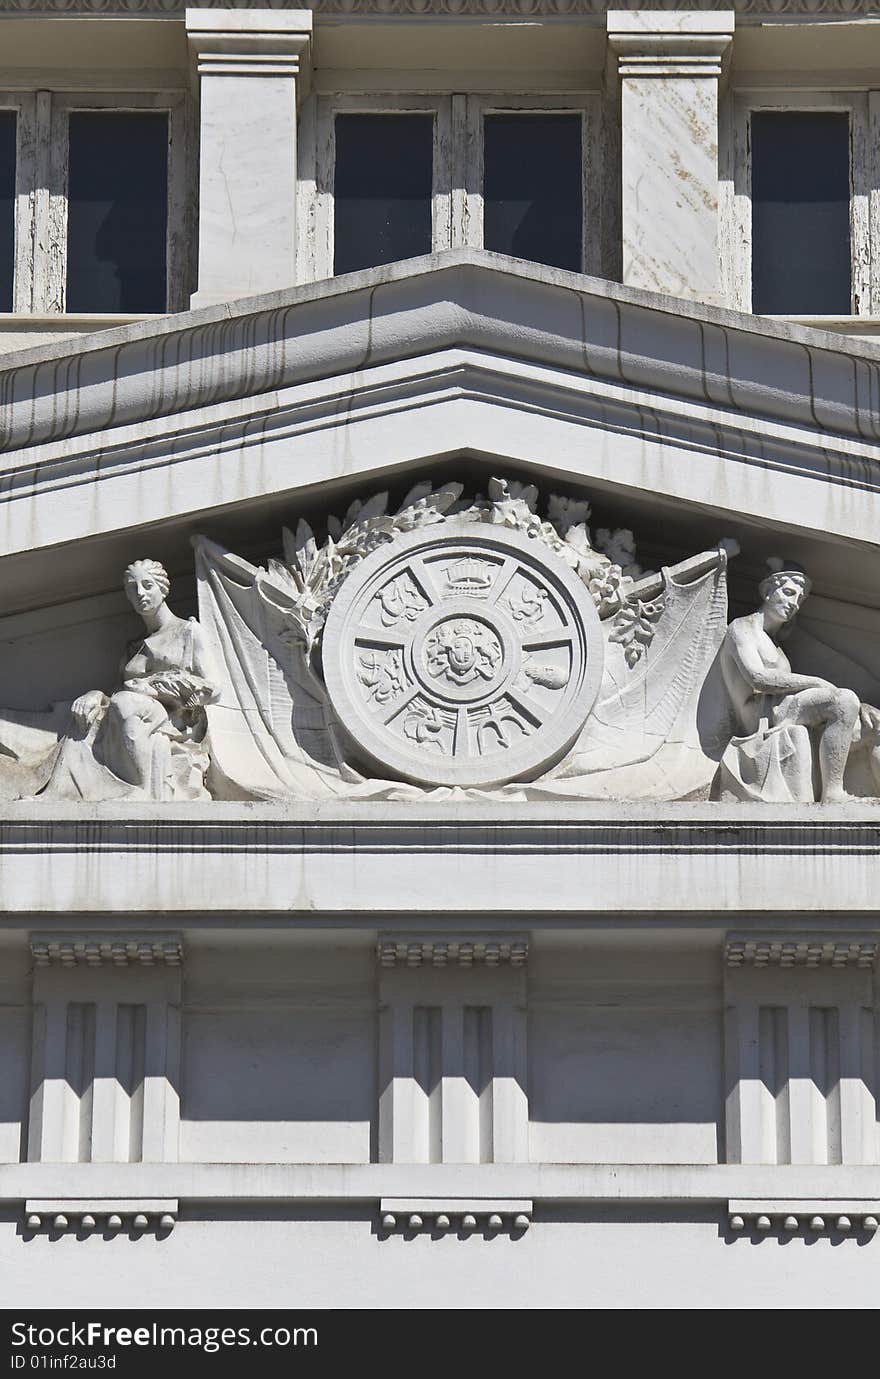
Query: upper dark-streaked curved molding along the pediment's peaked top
point(460, 297)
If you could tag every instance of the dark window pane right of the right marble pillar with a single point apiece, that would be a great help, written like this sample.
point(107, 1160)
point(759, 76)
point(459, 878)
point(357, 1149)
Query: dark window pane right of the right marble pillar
point(801, 214)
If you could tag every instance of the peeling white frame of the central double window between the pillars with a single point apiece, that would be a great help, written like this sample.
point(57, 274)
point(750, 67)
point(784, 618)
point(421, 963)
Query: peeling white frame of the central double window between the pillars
point(457, 212)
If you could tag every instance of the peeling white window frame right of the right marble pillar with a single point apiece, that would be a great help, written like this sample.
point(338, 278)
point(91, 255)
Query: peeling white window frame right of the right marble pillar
point(737, 242)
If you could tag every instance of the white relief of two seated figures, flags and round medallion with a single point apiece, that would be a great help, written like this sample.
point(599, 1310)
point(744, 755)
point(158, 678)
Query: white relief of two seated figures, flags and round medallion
point(457, 645)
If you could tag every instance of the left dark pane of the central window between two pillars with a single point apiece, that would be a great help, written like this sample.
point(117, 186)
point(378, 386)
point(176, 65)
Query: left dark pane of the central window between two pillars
point(383, 190)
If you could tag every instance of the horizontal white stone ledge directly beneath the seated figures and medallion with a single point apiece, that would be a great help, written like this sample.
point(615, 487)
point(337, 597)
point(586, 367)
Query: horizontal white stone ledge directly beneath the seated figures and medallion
point(710, 864)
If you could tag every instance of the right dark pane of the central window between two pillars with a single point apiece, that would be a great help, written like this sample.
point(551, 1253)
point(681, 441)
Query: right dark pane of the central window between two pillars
point(533, 198)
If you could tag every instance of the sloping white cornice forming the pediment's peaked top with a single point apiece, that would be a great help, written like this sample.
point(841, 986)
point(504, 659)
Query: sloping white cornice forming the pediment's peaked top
point(203, 413)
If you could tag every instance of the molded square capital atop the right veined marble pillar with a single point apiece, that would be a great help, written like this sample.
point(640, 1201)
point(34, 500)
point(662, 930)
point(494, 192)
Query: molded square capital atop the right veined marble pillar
point(678, 43)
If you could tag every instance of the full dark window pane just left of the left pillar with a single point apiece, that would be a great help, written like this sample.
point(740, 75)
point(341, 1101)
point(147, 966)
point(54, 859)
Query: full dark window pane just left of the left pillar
point(118, 212)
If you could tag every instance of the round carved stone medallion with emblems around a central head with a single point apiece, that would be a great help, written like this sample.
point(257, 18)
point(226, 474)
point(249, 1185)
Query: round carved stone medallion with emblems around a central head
point(463, 654)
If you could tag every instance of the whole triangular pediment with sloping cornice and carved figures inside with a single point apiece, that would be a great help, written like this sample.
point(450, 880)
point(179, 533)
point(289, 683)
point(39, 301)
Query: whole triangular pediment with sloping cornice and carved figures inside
point(460, 523)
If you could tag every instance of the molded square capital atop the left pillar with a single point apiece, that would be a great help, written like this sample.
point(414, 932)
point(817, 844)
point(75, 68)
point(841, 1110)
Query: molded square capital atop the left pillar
point(259, 43)
